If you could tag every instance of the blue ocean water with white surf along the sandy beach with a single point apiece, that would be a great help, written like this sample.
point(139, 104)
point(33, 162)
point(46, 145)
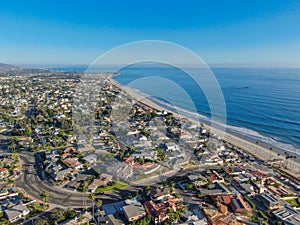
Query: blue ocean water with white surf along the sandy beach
point(261, 103)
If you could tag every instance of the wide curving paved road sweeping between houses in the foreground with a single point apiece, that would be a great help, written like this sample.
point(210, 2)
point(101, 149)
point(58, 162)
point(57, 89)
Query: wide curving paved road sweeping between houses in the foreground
point(33, 184)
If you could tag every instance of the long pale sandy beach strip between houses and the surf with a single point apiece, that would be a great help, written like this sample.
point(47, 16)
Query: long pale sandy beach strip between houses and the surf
point(261, 150)
